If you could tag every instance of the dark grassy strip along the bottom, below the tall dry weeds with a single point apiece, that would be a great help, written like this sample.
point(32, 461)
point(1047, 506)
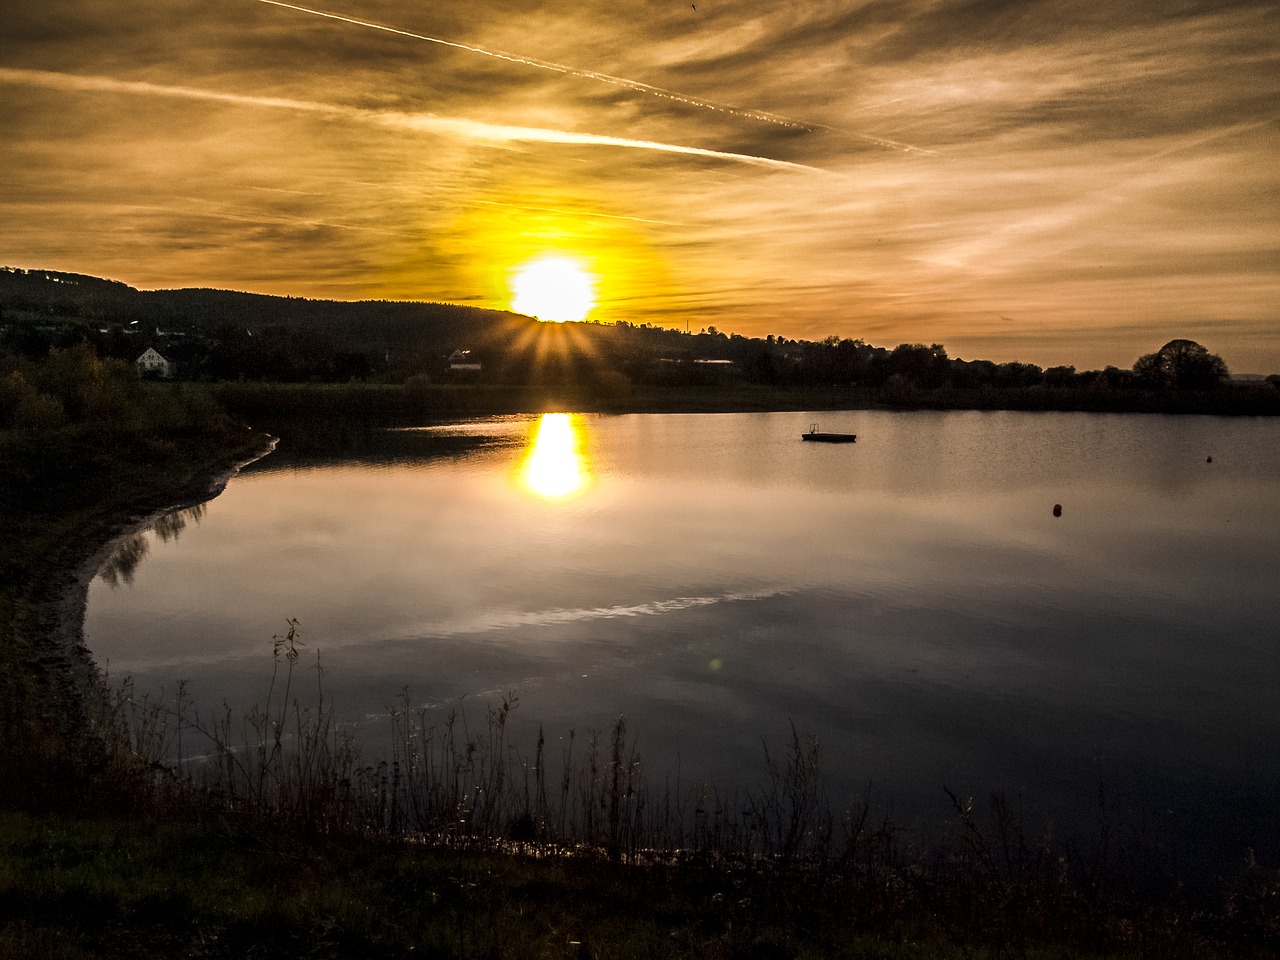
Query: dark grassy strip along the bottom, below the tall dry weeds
point(111, 888)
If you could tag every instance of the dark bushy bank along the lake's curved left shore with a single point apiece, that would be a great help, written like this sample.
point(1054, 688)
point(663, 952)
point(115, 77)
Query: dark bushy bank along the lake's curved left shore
point(86, 451)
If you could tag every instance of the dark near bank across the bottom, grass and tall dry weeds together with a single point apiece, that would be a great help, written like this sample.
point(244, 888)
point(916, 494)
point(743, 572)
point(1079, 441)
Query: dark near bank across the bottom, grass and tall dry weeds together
point(289, 845)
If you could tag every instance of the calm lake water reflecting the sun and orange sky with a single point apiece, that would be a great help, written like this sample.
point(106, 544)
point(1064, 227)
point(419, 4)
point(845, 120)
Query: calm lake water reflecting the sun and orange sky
point(909, 600)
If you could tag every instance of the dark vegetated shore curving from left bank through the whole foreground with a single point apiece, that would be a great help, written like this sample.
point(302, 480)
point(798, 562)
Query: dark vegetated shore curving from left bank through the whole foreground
point(463, 840)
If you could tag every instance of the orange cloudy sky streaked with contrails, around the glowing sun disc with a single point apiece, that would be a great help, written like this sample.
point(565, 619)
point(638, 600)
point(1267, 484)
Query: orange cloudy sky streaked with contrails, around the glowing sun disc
point(1044, 181)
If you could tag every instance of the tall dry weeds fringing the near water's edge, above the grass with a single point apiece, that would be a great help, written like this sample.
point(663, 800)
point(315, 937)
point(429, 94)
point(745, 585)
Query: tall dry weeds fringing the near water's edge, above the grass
point(289, 769)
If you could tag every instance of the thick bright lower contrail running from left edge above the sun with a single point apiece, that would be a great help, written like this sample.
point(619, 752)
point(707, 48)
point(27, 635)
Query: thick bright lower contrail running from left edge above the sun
point(470, 130)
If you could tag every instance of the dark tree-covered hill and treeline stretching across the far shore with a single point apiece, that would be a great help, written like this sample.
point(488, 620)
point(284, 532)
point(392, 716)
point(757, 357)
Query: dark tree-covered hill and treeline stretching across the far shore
point(208, 335)
